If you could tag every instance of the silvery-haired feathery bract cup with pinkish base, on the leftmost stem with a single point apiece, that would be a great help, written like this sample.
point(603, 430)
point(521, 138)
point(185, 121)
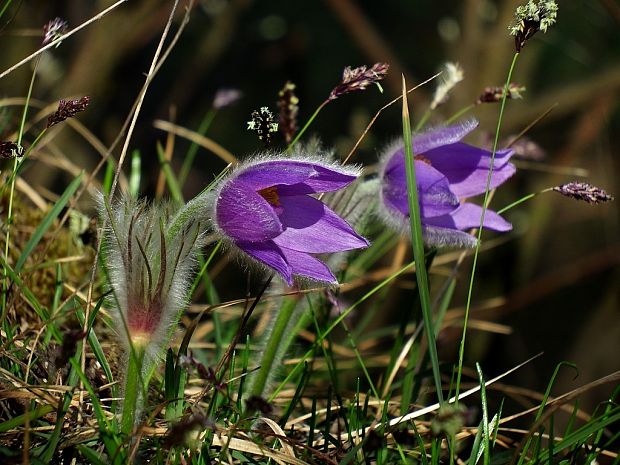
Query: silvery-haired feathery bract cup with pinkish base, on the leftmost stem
point(149, 254)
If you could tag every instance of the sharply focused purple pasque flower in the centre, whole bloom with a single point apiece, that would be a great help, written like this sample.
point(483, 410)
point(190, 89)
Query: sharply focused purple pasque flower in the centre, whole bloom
point(266, 210)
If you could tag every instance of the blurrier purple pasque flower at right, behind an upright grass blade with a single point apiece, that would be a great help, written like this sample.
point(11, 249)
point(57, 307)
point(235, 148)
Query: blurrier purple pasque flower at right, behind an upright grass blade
point(447, 171)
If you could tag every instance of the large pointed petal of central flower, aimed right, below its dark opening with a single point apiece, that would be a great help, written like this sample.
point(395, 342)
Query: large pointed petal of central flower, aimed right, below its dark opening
point(310, 226)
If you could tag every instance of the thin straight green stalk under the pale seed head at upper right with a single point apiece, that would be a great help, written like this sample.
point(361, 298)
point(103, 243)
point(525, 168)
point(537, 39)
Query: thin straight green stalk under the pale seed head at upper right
point(484, 208)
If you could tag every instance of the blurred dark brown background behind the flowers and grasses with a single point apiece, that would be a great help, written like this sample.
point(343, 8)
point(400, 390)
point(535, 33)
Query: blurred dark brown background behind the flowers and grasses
point(554, 281)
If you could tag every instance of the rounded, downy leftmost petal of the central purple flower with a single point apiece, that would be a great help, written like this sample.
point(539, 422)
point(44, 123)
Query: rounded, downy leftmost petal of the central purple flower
point(244, 215)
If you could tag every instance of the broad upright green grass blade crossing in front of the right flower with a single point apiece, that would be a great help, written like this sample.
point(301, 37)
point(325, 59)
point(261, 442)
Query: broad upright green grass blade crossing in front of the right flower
point(418, 245)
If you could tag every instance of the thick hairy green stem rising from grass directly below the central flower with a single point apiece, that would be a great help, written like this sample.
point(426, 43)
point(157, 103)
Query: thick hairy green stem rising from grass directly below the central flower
point(273, 349)
